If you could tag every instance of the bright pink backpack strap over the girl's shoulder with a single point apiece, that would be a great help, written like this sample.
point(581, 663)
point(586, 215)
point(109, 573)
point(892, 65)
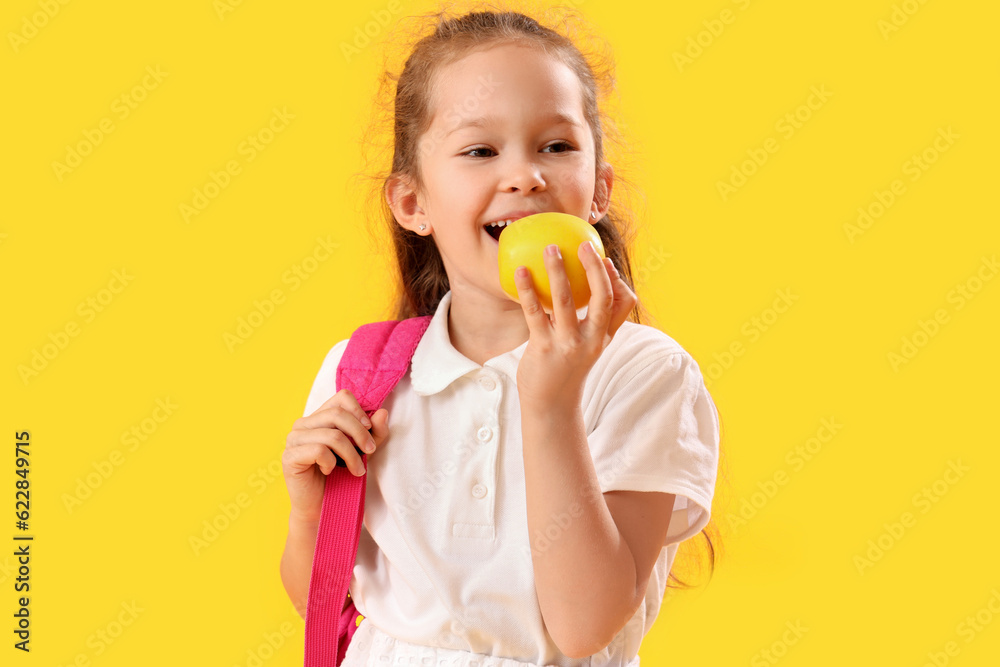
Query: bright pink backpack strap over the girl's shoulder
point(377, 356)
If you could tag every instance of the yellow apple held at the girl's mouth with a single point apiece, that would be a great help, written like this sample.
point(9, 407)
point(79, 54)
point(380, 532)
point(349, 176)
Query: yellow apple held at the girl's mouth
point(523, 244)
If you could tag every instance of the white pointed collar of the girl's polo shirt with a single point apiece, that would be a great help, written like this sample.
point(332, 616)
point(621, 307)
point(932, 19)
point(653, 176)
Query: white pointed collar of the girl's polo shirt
point(436, 363)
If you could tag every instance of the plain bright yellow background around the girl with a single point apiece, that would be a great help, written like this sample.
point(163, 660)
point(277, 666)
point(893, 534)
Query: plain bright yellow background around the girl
point(826, 357)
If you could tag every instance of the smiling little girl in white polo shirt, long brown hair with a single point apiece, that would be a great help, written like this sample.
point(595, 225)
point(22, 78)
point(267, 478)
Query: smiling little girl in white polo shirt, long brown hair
point(532, 475)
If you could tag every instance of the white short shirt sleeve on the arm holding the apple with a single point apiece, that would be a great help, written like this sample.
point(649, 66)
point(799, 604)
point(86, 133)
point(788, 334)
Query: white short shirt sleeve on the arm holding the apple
point(659, 431)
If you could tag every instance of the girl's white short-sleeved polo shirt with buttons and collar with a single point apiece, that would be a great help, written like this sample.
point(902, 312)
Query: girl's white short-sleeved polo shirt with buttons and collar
point(444, 558)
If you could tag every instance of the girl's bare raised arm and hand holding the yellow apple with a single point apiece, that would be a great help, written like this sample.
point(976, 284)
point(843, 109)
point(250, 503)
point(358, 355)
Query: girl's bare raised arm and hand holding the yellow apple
point(591, 577)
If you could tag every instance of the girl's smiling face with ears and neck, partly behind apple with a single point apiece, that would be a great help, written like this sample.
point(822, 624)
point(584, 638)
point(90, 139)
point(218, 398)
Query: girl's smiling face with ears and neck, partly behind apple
point(508, 138)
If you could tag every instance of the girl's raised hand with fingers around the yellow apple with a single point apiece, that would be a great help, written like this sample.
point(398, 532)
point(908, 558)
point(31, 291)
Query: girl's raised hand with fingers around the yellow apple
point(562, 348)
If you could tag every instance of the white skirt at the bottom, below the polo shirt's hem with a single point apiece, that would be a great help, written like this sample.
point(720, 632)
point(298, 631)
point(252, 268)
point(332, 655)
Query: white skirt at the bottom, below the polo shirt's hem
point(370, 647)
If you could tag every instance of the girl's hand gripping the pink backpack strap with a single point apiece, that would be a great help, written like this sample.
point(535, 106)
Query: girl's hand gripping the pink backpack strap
point(314, 443)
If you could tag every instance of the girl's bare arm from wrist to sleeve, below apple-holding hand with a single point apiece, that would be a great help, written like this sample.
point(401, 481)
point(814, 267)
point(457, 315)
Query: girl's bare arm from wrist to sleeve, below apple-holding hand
point(588, 581)
